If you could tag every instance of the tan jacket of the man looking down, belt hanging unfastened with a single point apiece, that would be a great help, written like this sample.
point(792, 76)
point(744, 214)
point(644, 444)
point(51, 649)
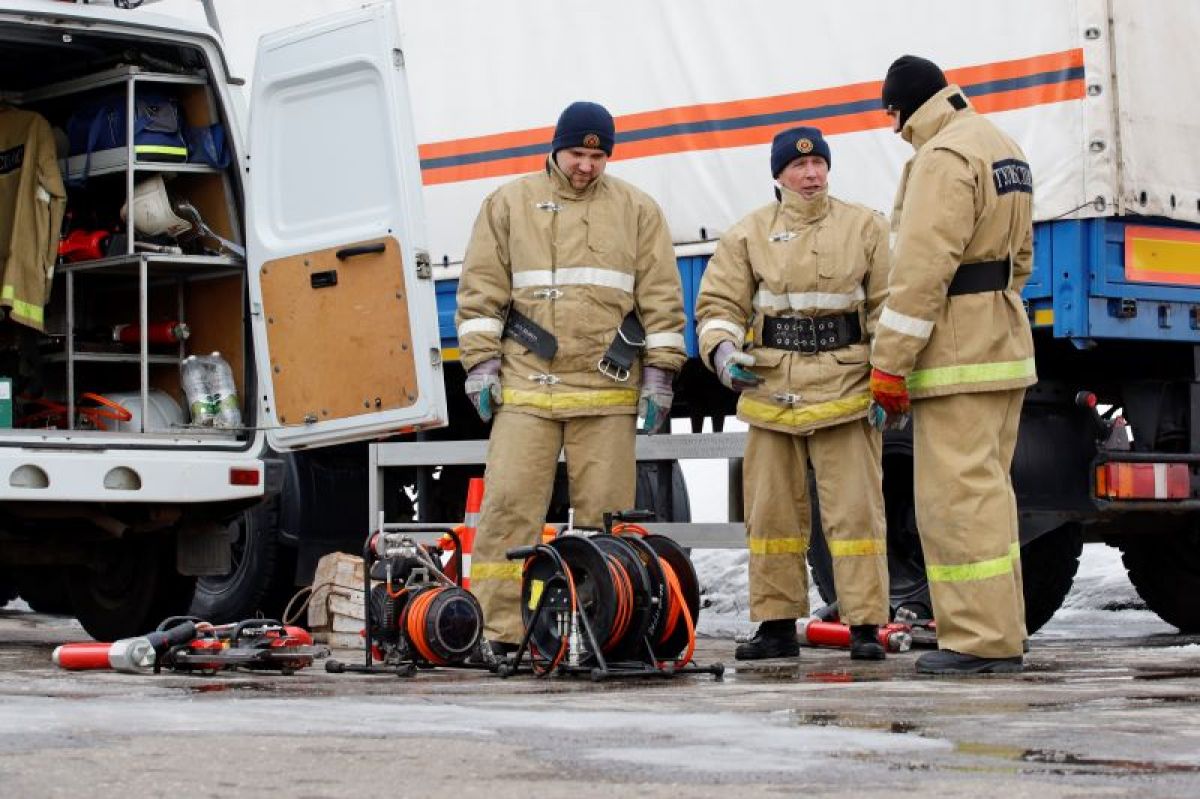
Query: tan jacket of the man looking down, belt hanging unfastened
point(575, 263)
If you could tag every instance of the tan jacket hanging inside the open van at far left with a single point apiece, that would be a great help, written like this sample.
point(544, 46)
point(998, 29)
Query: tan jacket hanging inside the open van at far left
point(33, 201)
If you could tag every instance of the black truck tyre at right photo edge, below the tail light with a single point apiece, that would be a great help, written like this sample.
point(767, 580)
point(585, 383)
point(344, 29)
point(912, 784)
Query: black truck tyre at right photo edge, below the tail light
point(1166, 570)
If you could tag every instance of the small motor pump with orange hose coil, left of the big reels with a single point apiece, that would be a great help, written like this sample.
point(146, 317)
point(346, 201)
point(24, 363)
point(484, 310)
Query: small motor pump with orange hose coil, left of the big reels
point(418, 614)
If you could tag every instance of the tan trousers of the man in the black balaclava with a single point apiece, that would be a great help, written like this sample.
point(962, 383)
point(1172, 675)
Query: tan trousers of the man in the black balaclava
point(963, 450)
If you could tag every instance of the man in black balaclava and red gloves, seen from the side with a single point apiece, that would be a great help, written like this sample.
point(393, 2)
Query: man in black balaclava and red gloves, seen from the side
point(955, 338)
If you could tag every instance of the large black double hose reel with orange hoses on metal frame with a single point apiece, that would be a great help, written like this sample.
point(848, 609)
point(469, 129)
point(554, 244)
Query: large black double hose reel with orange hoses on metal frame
point(619, 603)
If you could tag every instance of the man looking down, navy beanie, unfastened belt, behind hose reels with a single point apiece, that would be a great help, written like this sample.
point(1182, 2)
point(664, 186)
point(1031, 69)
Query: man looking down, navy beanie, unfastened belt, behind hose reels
point(571, 325)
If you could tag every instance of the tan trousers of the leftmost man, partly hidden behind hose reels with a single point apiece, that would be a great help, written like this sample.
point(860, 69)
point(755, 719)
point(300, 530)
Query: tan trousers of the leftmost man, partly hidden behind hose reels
point(523, 455)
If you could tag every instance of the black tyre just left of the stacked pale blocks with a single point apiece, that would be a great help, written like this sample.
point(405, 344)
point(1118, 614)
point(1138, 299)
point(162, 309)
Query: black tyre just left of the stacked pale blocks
point(262, 576)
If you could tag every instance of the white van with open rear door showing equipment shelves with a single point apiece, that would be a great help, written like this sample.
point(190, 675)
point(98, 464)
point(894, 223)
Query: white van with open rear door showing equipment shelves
point(293, 248)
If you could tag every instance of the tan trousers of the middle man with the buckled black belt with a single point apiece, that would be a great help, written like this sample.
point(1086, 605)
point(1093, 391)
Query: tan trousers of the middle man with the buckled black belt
point(847, 460)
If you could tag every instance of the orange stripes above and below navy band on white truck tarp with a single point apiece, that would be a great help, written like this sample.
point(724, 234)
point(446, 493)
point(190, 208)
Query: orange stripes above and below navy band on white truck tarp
point(850, 123)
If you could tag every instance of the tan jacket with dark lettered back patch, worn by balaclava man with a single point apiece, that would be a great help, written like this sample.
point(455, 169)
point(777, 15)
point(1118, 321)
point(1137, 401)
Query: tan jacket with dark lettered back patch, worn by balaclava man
point(965, 197)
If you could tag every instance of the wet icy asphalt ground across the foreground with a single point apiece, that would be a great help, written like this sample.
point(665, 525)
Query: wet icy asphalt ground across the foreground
point(1094, 716)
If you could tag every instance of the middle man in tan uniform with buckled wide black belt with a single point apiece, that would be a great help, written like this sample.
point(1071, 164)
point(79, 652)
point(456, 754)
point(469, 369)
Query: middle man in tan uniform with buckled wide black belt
point(787, 308)
